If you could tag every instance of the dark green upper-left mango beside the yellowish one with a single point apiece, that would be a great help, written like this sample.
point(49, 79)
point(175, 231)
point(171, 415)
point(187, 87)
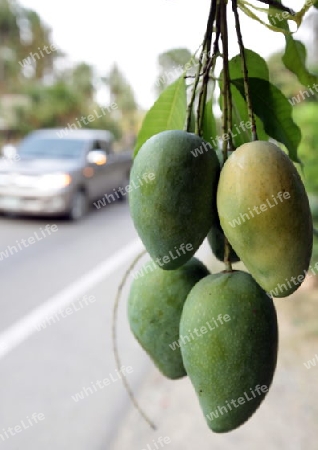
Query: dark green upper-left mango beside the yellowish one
point(174, 210)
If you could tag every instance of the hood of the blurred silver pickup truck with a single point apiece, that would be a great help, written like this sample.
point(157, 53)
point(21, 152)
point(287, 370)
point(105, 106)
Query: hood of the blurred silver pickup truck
point(38, 166)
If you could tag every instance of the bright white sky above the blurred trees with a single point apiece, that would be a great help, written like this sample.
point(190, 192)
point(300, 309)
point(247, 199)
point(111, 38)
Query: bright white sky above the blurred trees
point(133, 33)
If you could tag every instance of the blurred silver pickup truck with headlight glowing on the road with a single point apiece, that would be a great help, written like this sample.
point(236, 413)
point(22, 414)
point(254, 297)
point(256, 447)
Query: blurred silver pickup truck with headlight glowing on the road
point(58, 173)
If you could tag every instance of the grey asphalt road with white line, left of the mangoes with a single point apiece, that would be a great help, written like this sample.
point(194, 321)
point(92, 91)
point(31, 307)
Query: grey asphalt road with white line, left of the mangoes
point(45, 368)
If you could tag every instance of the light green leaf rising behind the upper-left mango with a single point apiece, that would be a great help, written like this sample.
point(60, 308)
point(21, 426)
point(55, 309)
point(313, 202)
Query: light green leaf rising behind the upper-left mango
point(167, 113)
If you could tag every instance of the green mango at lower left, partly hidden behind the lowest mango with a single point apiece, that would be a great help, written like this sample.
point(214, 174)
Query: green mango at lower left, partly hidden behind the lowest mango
point(155, 304)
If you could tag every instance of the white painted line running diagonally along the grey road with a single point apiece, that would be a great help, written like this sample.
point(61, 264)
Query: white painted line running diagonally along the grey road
point(24, 328)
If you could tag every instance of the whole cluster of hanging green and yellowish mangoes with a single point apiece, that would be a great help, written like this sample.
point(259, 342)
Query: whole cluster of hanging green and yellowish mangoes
point(219, 329)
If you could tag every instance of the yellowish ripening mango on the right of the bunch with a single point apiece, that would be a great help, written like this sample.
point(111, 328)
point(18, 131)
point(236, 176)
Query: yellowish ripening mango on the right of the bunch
point(264, 213)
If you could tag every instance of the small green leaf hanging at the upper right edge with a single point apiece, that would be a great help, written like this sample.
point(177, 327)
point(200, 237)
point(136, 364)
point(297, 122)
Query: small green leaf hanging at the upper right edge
point(294, 60)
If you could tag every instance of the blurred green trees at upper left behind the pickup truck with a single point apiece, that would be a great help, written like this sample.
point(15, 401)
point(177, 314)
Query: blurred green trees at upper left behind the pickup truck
point(33, 93)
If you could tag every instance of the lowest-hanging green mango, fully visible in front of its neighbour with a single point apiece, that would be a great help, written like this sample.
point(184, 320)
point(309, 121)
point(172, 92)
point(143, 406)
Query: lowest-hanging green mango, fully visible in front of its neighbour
point(228, 336)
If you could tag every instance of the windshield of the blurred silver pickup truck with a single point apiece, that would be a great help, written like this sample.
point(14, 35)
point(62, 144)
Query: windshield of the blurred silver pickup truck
point(51, 148)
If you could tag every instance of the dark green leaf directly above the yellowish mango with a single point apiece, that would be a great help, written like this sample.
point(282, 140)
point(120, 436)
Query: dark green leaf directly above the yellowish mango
point(273, 108)
